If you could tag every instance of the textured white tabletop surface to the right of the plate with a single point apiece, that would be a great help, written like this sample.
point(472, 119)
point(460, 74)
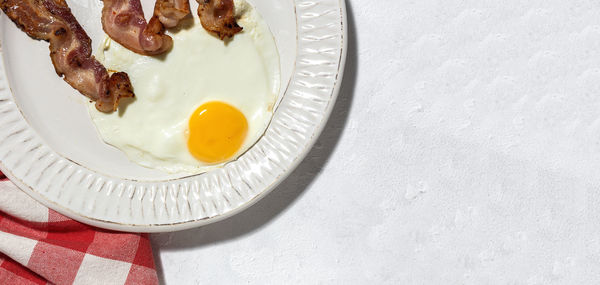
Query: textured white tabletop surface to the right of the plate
point(464, 149)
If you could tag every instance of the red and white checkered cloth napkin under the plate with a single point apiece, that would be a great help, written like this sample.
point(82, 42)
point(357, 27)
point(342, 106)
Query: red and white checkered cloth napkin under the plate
point(40, 246)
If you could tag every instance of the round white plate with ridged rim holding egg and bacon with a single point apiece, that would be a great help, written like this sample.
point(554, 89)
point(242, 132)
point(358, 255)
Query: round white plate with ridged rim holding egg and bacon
point(50, 149)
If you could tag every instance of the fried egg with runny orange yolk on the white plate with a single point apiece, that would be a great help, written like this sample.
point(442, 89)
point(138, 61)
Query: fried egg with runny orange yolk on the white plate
point(198, 106)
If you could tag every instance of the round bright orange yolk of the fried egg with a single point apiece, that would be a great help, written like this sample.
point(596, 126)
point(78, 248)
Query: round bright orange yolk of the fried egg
point(216, 132)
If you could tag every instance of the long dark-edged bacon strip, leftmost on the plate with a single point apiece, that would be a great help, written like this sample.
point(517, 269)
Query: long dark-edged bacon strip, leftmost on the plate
point(70, 49)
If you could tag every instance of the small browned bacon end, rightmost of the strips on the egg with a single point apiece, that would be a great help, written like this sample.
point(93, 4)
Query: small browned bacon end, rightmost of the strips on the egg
point(217, 16)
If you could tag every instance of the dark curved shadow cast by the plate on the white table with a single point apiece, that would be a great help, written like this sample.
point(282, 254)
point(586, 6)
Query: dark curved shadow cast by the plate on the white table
point(292, 188)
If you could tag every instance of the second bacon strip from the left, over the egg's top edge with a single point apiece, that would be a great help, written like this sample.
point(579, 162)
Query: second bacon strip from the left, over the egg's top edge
point(124, 22)
